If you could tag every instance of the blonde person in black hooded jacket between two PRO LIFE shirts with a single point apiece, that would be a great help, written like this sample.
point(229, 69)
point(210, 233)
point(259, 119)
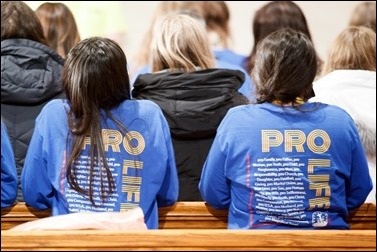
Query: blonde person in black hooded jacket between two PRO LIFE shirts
point(193, 95)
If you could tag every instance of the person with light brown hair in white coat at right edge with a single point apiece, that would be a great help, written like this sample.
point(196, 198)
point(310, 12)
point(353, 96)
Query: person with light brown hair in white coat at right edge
point(349, 81)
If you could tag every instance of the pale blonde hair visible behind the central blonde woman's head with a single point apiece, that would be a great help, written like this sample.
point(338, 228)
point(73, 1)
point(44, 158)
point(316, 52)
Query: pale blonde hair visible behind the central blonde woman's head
point(143, 55)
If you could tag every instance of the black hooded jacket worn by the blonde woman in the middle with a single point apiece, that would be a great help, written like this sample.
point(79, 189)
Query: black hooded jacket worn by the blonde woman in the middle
point(194, 104)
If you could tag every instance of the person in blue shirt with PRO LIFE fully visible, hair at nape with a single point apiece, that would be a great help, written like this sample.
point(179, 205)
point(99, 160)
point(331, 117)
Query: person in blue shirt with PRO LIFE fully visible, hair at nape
point(284, 162)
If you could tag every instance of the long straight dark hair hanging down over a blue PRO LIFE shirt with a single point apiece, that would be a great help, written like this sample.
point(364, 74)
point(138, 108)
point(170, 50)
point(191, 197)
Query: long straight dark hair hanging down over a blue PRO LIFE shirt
point(95, 78)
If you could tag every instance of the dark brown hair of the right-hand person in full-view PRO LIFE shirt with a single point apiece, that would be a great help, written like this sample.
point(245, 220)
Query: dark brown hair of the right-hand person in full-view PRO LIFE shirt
point(285, 67)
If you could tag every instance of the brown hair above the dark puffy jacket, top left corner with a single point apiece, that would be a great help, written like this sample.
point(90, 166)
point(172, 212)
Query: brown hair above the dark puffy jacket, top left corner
point(18, 20)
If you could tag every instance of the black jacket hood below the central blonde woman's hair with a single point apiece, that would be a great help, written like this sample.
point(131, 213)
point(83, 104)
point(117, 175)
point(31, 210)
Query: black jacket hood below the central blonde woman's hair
point(193, 103)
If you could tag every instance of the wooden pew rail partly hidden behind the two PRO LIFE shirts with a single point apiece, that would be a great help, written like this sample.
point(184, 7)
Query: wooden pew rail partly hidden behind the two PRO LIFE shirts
point(184, 215)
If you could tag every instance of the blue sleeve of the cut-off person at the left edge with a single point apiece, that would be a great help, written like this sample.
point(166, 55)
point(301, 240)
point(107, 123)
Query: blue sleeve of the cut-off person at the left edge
point(8, 170)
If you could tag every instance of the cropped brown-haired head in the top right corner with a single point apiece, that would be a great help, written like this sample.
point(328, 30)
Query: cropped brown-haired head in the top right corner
point(364, 15)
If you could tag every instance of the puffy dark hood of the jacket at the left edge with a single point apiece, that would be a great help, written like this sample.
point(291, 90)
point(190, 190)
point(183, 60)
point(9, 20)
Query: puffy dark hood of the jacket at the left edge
point(30, 72)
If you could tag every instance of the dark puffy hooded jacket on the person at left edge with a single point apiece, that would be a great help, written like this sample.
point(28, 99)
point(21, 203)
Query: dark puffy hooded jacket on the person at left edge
point(30, 77)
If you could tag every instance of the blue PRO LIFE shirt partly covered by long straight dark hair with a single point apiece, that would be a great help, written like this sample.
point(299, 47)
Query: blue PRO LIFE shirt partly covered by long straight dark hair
point(144, 171)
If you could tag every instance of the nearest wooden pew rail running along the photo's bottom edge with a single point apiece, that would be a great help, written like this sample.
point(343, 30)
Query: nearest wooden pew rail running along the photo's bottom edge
point(190, 239)
